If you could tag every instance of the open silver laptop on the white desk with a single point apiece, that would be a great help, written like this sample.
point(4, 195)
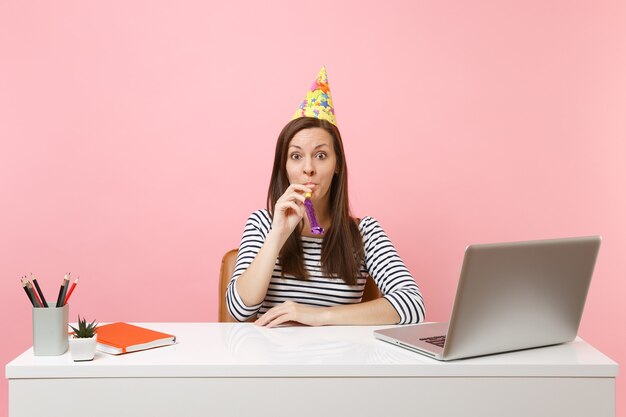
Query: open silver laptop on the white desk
point(510, 296)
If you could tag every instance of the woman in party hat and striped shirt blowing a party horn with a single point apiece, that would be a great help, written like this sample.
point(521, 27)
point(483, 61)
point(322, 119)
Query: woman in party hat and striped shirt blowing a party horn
point(284, 272)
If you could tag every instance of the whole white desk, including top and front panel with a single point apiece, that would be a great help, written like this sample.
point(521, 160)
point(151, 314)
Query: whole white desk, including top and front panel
point(241, 370)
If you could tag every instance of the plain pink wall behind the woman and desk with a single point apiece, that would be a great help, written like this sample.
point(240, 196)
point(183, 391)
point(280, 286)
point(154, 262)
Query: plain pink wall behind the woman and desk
point(136, 137)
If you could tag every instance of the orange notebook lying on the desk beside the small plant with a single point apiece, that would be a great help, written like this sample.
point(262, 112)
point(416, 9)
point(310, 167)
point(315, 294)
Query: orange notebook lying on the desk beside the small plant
point(117, 338)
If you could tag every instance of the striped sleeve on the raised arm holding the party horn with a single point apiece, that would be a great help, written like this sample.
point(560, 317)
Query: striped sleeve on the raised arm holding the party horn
point(254, 235)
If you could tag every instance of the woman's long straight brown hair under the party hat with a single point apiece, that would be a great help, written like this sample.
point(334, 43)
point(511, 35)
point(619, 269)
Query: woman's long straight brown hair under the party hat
point(342, 247)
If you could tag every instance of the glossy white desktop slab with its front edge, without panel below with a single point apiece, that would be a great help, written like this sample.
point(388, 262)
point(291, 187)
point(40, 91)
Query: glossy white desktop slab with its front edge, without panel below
point(245, 350)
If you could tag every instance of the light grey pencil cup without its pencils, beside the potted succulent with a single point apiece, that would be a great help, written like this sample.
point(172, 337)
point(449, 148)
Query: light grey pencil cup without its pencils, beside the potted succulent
point(50, 336)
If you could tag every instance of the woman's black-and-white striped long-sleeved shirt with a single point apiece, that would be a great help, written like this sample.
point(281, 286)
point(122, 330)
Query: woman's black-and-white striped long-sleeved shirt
point(381, 262)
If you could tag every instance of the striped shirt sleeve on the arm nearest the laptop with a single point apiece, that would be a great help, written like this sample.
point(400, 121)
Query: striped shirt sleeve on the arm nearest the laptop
point(390, 274)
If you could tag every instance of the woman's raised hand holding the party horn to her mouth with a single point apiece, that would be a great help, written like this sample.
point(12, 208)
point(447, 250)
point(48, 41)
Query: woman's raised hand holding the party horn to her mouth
point(289, 210)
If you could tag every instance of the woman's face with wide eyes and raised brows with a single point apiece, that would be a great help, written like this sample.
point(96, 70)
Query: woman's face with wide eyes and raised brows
point(311, 161)
